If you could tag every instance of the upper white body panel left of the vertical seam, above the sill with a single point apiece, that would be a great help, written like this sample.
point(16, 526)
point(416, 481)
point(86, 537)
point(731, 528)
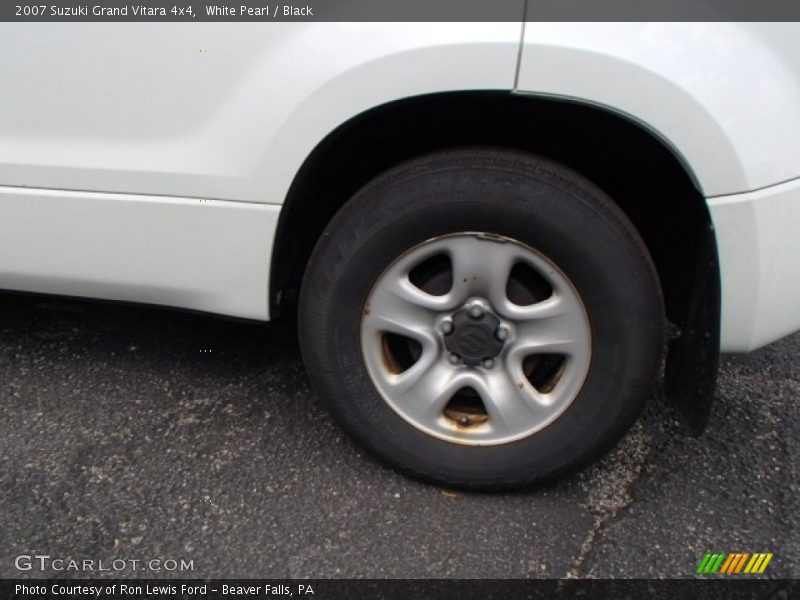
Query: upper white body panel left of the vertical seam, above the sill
point(215, 110)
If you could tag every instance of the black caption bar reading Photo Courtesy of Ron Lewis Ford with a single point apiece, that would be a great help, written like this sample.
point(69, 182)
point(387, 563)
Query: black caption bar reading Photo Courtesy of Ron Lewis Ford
point(402, 589)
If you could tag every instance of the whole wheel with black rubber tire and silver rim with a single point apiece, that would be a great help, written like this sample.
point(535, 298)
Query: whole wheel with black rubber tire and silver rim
point(479, 208)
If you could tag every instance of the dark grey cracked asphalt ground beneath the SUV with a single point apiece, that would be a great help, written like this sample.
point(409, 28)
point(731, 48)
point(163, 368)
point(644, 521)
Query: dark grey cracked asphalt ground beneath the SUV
point(140, 433)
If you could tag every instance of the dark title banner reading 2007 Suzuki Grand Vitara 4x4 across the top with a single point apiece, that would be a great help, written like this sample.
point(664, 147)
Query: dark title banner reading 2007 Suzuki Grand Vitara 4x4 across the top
point(399, 10)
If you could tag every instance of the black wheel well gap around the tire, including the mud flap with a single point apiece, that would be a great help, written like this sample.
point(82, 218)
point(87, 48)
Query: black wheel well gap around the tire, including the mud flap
point(647, 178)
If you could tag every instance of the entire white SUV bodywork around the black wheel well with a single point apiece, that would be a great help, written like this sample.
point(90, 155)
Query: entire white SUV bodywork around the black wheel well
point(150, 162)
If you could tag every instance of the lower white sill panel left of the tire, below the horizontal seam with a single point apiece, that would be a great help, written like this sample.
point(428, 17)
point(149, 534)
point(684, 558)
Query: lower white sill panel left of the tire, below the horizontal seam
point(206, 255)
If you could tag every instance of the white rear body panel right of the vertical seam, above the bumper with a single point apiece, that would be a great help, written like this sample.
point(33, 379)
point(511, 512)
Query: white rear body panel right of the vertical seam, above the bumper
point(726, 96)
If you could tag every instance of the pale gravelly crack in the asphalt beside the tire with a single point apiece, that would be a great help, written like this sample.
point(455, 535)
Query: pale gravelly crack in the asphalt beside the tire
point(611, 485)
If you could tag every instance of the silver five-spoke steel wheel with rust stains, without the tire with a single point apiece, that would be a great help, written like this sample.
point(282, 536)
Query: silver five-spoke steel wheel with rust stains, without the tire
point(468, 351)
